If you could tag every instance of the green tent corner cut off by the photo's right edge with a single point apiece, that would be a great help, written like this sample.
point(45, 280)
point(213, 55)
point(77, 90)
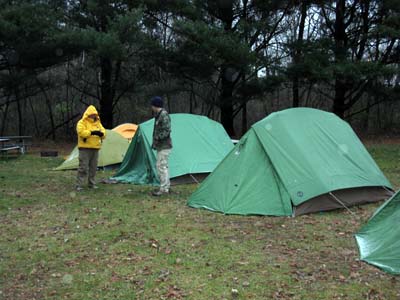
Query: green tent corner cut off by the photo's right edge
point(379, 240)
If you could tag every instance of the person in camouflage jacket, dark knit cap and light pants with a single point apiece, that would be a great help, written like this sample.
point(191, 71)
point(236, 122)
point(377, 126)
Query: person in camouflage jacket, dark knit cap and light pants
point(161, 143)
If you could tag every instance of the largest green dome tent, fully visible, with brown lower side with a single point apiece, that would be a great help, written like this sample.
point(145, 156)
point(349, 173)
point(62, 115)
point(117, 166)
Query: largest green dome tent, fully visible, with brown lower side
point(293, 162)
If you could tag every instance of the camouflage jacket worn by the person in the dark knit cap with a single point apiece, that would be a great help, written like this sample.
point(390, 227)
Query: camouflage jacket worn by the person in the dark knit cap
point(162, 131)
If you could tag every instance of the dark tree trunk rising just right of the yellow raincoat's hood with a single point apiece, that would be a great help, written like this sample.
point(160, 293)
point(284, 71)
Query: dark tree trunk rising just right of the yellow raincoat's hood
point(107, 95)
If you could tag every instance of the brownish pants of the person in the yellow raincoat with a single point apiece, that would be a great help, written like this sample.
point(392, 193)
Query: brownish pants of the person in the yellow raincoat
point(87, 166)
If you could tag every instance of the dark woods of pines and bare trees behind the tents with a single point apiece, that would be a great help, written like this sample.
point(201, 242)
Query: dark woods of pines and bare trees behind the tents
point(234, 61)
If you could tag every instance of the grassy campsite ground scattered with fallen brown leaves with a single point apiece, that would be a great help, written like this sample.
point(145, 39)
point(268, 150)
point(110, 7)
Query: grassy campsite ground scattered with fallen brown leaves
point(118, 242)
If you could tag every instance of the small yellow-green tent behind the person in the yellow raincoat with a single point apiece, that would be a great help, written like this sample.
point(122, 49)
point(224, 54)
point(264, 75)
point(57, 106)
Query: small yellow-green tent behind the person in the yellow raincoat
point(112, 152)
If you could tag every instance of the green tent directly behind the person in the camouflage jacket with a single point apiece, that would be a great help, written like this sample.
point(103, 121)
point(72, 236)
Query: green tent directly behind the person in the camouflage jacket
point(199, 144)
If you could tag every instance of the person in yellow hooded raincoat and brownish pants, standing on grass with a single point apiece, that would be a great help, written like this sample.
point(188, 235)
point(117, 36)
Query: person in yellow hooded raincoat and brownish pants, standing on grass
point(90, 136)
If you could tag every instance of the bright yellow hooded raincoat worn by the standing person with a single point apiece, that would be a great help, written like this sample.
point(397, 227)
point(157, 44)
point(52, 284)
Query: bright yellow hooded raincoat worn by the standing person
point(85, 127)
